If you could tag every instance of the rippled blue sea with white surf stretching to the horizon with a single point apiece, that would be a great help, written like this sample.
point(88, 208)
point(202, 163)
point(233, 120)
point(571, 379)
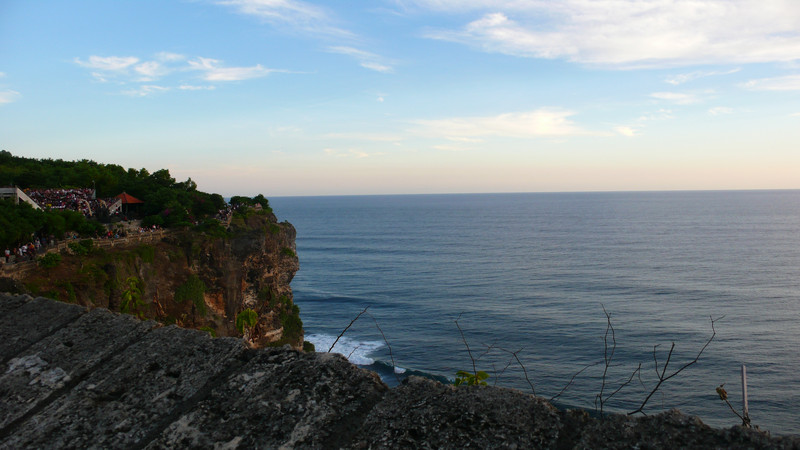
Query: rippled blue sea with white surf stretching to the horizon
point(531, 273)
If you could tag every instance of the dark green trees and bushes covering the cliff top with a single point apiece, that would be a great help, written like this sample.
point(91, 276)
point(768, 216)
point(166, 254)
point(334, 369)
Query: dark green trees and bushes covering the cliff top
point(167, 202)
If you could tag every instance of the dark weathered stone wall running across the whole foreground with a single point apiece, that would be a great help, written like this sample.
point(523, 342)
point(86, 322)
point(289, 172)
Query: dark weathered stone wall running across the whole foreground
point(71, 378)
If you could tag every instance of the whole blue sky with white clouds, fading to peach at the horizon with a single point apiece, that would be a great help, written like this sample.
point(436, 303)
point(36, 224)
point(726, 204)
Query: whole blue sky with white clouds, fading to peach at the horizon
point(291, 97)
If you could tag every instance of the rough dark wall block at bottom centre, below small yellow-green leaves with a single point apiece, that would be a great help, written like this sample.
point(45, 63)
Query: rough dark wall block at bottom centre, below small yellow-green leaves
point(426, 414)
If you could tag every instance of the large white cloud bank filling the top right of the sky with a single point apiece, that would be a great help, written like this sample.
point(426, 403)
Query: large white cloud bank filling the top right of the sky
point(629, 33)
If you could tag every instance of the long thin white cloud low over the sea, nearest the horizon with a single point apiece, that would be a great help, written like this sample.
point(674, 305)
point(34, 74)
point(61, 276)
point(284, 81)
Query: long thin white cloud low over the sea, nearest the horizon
point(538, 123)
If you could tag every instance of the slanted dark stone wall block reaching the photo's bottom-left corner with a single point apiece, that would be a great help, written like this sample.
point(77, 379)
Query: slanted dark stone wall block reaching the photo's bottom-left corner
point(133, 395)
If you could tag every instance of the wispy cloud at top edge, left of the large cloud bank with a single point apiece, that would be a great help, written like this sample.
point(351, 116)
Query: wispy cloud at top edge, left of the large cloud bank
point(299, 15)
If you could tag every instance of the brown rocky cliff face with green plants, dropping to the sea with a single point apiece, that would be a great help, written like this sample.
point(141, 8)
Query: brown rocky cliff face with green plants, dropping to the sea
point(202, 278)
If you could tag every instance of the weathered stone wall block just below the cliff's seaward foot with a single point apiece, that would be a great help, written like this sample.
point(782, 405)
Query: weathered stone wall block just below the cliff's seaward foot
point(280, 398)
